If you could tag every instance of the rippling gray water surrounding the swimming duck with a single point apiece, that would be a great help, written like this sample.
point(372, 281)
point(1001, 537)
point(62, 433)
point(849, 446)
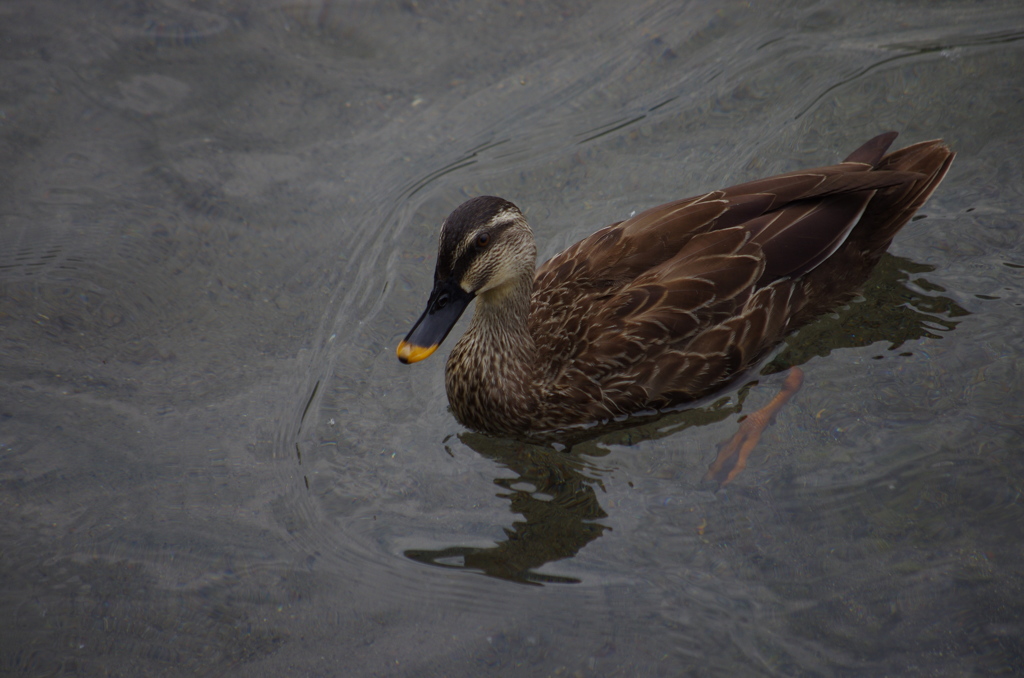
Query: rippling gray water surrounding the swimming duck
point(219, 220)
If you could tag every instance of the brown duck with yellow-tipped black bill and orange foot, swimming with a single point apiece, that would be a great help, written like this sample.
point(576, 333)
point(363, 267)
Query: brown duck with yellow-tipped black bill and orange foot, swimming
point(665, 308)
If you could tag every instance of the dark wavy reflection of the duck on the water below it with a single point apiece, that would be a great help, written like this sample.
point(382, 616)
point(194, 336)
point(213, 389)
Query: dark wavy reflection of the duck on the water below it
point(556, 489)
